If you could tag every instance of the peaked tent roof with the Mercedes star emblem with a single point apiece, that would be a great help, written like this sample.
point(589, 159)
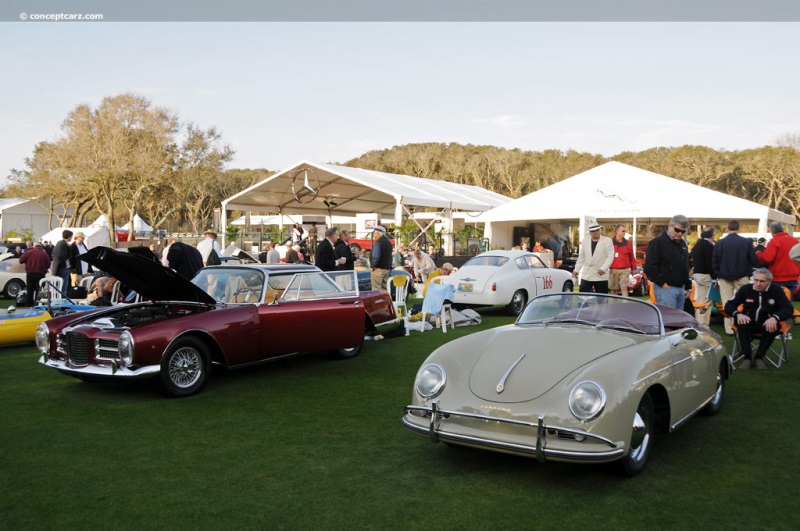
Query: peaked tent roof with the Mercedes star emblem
point(358, 191)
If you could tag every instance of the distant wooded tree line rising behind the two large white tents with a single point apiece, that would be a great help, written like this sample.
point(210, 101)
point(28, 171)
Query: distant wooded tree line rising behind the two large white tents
point(768, 175)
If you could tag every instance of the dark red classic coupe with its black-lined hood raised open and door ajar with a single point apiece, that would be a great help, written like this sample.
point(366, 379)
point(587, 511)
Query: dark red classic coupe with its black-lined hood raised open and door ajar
point(229, 315)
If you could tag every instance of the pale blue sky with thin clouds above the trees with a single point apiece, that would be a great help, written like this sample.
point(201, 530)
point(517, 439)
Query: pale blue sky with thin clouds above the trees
point(329, 92)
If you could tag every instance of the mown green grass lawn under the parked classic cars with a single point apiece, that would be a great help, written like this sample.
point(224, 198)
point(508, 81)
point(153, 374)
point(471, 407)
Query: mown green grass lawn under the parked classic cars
point(310, 443)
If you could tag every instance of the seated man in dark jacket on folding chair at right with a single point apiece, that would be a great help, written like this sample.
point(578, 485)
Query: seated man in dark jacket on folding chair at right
point(764, 306)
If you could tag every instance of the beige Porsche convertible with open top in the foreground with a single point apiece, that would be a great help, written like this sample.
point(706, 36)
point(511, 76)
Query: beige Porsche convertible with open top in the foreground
point(579, 377)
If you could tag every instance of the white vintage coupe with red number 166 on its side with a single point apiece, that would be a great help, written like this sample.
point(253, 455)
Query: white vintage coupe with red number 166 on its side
point(506, 277)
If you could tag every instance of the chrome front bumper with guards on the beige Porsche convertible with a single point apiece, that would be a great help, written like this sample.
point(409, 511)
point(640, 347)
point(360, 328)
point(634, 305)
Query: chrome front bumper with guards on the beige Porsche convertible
point(540, 451)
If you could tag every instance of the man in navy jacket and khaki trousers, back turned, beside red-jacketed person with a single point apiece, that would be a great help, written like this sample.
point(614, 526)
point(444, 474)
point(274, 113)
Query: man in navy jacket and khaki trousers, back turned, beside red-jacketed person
point(733, 261)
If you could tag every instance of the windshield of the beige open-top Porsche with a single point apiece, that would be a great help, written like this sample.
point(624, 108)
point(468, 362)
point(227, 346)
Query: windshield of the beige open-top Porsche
point(601, 311)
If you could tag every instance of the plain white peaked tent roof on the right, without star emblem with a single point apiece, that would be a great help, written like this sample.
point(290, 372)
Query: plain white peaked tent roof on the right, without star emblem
point(618, 191)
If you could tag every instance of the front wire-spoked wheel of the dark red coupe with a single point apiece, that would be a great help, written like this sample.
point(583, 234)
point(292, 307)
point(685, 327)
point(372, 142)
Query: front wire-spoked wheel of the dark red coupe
point(185, 368)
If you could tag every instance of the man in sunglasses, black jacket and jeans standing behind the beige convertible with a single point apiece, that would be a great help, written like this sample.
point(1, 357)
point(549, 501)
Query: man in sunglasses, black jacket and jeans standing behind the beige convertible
point(667, 264)
